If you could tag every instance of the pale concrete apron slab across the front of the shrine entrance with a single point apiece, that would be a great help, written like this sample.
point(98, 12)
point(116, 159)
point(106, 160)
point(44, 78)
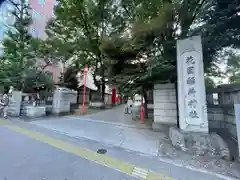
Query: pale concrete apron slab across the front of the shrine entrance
point(140, 140)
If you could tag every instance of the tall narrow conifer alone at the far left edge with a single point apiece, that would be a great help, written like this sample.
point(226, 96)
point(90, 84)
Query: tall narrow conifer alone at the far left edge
point(17, 56)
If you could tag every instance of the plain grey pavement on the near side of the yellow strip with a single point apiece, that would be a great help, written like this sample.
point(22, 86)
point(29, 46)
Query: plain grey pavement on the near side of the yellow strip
point(23, 158)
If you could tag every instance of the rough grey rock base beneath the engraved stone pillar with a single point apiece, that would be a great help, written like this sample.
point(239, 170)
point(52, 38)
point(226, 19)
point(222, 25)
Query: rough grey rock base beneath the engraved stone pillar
point(200, 143)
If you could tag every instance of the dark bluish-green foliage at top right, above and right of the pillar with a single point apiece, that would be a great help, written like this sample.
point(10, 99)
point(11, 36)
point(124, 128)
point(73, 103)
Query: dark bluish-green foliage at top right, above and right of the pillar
point(219, 28)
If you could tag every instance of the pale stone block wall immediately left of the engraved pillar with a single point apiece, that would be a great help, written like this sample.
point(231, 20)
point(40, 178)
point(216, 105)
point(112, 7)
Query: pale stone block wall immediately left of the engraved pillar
point(165, 108)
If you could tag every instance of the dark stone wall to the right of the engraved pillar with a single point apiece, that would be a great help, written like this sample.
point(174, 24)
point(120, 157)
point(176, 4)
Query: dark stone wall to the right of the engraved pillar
point(221, 115)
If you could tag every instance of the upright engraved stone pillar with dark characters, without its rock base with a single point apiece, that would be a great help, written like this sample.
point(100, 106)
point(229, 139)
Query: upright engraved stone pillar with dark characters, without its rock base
point(191, 86)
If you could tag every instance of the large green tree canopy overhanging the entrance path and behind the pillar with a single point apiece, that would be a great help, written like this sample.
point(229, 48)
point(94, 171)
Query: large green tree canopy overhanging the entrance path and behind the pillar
point(133, 43)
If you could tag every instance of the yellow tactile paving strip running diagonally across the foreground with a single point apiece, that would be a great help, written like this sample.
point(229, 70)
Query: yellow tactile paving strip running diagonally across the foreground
point(105, 160)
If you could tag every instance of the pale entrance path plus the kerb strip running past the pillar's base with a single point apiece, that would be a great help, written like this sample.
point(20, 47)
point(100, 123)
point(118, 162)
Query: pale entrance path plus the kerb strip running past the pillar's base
point(113, 128)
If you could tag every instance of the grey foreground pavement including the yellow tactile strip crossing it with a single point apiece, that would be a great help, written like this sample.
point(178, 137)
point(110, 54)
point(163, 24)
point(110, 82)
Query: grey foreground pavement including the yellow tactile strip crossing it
point(30, 152)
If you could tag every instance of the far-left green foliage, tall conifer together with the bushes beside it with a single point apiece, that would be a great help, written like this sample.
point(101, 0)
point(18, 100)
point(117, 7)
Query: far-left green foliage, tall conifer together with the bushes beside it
point(19, 67)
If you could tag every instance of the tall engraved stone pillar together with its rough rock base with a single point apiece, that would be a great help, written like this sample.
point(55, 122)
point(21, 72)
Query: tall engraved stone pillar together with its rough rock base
point(193, 135)
